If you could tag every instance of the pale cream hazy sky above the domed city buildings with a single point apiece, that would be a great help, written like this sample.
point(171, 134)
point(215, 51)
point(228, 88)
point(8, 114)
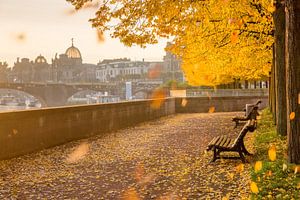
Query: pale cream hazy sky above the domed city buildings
point(32, 28)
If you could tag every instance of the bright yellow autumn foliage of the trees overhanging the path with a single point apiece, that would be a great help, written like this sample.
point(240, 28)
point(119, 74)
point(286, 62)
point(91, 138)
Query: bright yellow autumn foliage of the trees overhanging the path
point(217, 40)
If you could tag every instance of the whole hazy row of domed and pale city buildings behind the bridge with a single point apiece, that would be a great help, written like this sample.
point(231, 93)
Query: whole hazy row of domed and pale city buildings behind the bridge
point(68, 67)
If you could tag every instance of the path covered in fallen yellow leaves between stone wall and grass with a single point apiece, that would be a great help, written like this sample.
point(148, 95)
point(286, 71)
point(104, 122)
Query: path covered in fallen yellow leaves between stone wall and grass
point(162, 159)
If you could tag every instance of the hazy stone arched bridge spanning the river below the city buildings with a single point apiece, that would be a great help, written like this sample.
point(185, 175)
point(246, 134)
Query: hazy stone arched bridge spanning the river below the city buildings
point(57, 94)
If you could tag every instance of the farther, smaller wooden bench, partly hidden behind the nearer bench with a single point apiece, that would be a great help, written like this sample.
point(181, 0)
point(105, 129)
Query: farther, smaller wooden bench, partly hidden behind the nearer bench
point(251, 112)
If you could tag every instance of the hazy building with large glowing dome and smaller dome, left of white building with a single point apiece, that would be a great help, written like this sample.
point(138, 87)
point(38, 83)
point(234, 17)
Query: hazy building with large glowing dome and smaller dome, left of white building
point(65, 68)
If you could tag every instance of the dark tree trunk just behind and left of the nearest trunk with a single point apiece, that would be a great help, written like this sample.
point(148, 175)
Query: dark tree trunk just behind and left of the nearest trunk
point(279, 21)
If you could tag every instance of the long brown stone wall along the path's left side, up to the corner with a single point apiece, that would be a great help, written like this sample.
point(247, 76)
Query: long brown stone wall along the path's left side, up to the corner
point(23, 132)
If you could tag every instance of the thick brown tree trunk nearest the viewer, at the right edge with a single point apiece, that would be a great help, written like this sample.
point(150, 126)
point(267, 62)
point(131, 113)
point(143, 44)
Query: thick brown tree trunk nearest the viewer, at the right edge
point(293, 78)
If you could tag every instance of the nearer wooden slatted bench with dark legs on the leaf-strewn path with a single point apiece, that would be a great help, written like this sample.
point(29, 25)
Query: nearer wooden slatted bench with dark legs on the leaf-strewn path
point(225, 144)
